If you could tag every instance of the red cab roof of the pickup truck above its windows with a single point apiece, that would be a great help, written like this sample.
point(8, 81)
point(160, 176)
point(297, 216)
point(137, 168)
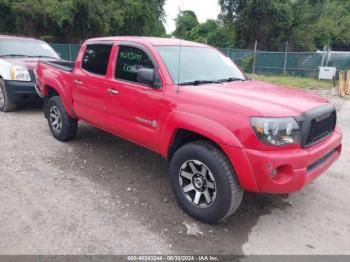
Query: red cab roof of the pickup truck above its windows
point(155, 41)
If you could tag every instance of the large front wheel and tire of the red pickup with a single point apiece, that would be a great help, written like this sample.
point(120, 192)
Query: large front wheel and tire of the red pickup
point(187, 167)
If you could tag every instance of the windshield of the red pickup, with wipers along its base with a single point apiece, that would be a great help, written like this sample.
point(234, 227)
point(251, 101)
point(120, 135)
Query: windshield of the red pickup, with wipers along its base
point(198, 65)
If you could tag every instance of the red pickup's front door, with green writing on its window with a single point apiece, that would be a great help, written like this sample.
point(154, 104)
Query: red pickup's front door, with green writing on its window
point(134, 109)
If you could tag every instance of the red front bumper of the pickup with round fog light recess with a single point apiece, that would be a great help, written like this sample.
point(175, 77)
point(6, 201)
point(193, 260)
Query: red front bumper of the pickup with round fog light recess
point(284, 171)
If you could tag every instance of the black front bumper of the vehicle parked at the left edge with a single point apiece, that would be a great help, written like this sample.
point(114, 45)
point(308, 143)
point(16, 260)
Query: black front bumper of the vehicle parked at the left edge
point(21, 92)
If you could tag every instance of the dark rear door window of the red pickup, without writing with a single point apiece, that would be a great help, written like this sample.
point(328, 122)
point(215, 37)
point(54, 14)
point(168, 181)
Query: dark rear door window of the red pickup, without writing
point(96, 58)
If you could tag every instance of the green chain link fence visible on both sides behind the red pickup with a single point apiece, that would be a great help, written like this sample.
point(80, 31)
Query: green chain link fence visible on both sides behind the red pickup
point(302, 64)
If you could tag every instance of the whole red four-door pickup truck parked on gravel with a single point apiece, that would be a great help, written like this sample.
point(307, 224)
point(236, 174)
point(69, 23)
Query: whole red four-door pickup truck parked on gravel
point(222, 132)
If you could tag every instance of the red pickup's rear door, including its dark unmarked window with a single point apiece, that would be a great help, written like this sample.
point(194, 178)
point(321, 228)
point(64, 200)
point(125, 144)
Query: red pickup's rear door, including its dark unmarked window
point(90, 84)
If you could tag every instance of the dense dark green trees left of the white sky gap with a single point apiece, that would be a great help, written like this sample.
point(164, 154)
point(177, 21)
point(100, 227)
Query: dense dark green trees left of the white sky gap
point(74, 20)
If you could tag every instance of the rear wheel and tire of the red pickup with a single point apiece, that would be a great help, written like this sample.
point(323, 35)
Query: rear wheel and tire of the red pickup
point(62, 126)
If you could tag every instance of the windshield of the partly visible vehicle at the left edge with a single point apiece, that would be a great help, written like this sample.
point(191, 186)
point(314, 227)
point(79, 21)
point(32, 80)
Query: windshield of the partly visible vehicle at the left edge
point(27, 48)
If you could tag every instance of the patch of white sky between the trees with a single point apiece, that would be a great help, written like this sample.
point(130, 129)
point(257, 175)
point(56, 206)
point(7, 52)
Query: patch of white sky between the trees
point(204, 9)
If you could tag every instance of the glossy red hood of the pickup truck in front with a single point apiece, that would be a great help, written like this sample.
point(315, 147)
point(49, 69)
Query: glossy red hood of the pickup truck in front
point(259, 98)
